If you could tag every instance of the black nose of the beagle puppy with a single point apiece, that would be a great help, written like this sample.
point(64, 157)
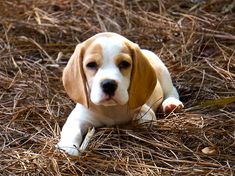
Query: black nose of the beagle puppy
point(109, 86)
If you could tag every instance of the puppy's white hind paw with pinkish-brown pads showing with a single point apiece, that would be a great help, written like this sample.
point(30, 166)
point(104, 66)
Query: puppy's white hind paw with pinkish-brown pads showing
point(171, 104)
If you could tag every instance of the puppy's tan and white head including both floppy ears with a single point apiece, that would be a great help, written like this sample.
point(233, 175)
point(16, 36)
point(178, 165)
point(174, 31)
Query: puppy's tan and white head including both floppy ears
point(109, 70)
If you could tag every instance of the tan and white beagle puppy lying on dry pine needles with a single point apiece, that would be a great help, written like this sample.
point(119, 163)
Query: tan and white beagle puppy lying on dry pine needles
point(113, 82)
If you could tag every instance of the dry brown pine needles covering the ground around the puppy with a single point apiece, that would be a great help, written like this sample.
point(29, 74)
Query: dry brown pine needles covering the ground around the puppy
point(195, 40)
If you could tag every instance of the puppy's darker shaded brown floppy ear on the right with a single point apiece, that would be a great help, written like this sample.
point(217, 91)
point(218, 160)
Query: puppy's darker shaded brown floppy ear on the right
point(143, 78)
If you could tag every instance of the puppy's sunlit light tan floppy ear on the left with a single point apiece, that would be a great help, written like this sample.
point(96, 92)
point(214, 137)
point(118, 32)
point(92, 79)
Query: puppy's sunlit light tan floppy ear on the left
point(74, 78)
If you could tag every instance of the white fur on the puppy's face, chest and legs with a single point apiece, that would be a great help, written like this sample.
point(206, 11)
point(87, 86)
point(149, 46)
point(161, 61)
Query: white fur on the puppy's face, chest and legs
point(116, 110)
